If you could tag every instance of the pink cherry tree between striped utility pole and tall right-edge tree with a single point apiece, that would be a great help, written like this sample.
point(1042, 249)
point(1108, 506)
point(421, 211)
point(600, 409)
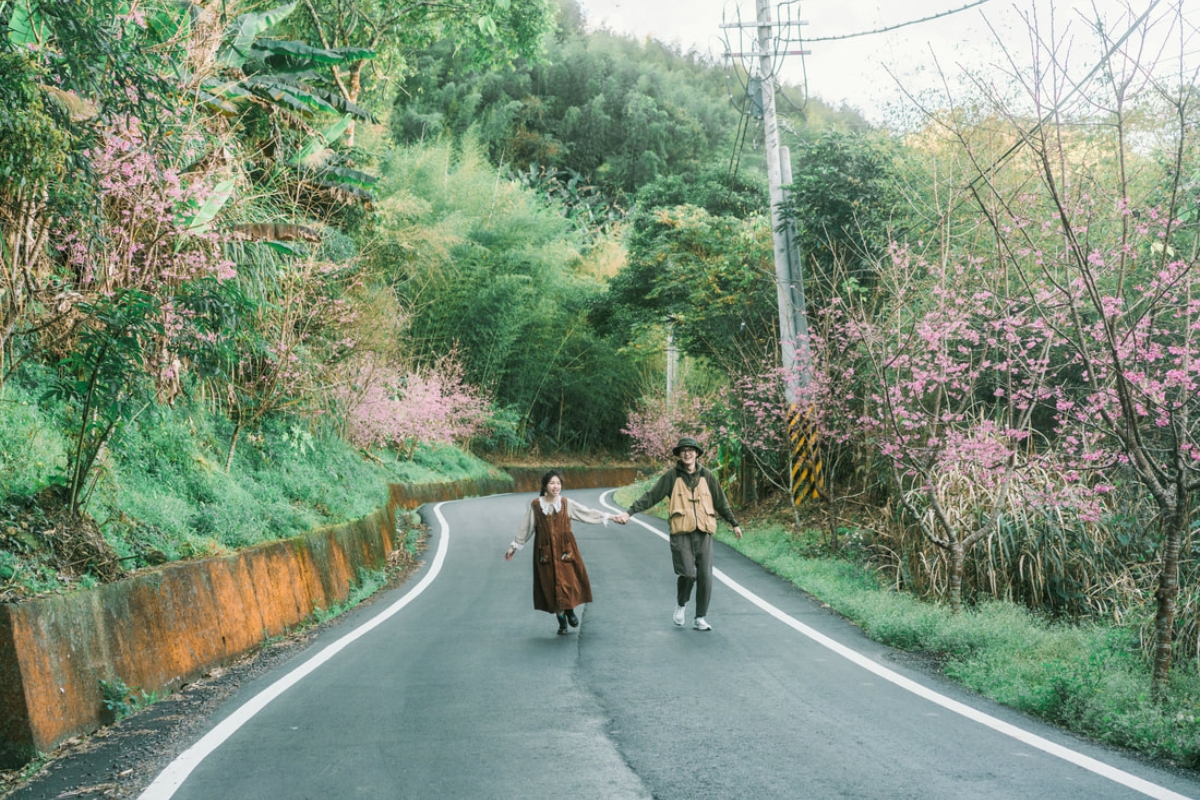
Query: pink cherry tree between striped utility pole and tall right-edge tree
point(956, 374)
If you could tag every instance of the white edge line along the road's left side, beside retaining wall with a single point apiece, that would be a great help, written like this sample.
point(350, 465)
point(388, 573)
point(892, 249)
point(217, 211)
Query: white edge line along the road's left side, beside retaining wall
point(171, 779)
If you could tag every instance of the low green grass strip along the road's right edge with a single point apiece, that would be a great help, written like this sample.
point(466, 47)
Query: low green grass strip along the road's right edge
point(1088, 677)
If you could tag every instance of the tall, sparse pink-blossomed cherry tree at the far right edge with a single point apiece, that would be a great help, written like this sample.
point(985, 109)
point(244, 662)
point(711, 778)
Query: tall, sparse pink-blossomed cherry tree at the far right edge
point(1107, 260)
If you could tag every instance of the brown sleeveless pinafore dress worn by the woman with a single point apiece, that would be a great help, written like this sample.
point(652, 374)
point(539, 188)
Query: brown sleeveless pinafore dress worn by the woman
point(559, 584)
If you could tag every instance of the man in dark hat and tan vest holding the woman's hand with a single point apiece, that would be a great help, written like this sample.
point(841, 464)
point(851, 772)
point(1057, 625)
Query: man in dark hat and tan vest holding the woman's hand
point(695, 501)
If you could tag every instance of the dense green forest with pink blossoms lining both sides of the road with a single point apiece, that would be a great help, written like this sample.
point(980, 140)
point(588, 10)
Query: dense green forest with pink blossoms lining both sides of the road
point(261, 260)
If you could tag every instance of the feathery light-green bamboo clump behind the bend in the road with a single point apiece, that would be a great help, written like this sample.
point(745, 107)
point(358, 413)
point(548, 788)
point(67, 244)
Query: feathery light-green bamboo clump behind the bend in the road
point(490, 273)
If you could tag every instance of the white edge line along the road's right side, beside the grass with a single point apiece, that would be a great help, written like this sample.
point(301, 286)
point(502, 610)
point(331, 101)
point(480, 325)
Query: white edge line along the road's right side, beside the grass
point(1033, 741)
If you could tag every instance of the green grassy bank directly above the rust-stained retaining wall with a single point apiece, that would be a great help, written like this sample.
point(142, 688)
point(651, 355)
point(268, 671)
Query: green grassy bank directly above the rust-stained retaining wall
point(164, 494)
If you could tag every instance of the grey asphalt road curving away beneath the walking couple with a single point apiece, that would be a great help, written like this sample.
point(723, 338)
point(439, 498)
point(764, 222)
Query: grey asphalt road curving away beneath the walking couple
point(455, 688)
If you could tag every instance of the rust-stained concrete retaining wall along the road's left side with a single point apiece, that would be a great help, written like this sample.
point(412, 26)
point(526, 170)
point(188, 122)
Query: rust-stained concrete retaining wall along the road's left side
point(165, 628)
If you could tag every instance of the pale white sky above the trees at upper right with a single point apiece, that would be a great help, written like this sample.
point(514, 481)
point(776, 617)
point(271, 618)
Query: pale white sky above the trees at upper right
point(855, 71)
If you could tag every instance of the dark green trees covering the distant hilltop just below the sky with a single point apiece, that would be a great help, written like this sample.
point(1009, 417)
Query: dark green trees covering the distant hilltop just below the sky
point(619, 112)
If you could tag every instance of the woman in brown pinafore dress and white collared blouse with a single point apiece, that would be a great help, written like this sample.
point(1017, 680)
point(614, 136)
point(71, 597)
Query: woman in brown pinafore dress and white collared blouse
point(560, 579)
